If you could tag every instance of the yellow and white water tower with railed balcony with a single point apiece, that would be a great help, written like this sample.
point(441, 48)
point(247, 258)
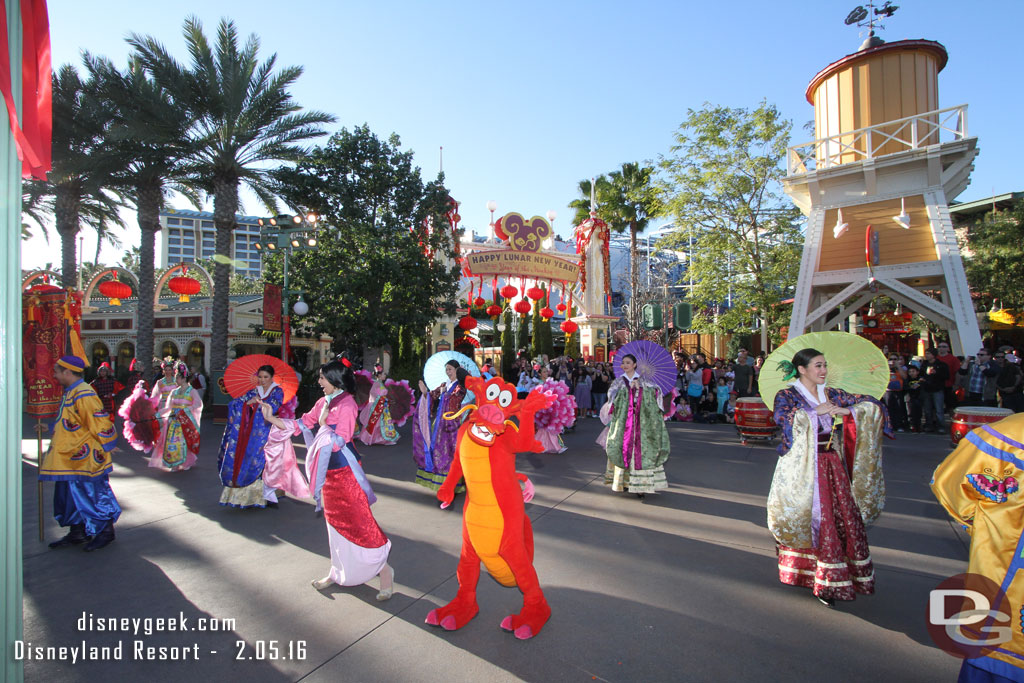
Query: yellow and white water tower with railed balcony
point(876, 186)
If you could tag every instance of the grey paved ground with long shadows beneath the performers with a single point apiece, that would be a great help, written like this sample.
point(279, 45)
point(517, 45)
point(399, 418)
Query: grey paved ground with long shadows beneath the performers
point(680, 588)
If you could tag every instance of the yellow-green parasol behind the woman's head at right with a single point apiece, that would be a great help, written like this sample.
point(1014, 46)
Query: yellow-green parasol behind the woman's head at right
point(856, 365)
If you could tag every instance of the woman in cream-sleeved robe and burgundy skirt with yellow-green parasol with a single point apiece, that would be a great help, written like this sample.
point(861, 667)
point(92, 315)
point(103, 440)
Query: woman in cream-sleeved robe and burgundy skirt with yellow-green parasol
point(828, 485)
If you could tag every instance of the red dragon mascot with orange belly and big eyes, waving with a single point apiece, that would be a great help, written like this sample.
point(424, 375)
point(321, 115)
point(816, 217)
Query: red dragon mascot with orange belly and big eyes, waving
point(496, 530)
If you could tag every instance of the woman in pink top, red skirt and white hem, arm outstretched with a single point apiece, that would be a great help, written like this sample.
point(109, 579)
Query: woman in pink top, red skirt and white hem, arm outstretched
point(359, 548)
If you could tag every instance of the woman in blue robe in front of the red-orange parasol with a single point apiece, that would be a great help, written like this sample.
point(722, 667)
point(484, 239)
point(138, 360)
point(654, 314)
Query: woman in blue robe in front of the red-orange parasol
point(242, 460)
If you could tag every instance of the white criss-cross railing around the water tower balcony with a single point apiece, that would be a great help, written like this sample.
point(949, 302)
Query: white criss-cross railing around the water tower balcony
point(913, 133)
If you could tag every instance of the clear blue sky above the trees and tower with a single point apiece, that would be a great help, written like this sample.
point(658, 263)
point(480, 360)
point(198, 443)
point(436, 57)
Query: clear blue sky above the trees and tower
point(529, 99)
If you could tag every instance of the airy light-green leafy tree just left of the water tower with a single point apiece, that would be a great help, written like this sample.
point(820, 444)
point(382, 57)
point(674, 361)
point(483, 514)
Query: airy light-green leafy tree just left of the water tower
point(721, 183)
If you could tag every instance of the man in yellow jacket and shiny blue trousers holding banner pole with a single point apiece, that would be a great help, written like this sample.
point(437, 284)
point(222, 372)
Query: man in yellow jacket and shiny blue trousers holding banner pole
point(79, 462)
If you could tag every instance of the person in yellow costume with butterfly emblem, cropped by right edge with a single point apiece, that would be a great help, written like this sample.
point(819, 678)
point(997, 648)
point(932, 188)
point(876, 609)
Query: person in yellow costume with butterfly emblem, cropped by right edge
point(979, 486)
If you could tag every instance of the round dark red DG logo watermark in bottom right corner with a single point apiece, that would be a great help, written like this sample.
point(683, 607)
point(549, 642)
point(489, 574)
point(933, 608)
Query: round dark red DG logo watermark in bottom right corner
point(968, 616)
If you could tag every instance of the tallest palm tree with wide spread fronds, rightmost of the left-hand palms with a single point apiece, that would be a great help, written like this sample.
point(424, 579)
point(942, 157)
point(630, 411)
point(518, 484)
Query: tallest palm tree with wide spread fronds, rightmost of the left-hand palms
point(245, 118)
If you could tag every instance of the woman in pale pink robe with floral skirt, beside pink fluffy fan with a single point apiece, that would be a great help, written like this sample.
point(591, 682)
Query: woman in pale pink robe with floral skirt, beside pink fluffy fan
point(180, 414)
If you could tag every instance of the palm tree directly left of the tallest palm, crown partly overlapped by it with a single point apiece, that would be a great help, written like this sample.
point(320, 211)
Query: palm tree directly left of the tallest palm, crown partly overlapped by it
point(152, 145)
